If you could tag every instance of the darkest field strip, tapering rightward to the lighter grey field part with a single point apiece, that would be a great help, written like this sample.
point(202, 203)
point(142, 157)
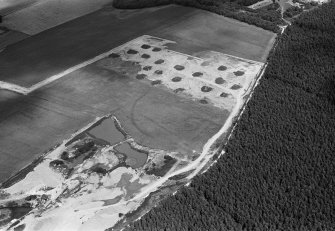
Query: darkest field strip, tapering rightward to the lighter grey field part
point(52, 51)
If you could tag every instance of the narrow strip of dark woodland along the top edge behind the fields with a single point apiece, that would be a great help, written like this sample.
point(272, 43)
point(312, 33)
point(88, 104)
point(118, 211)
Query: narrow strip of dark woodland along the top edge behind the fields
point(268, 18)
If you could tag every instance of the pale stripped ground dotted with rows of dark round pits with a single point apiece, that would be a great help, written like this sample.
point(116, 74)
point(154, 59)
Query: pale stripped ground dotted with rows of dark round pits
point(213, 78)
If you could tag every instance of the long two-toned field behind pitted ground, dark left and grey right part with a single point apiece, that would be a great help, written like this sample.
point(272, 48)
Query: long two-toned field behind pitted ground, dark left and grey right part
point(48, 53)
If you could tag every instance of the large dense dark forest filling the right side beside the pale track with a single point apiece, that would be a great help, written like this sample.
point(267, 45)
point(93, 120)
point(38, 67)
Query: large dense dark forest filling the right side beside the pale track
point(278, 172)
